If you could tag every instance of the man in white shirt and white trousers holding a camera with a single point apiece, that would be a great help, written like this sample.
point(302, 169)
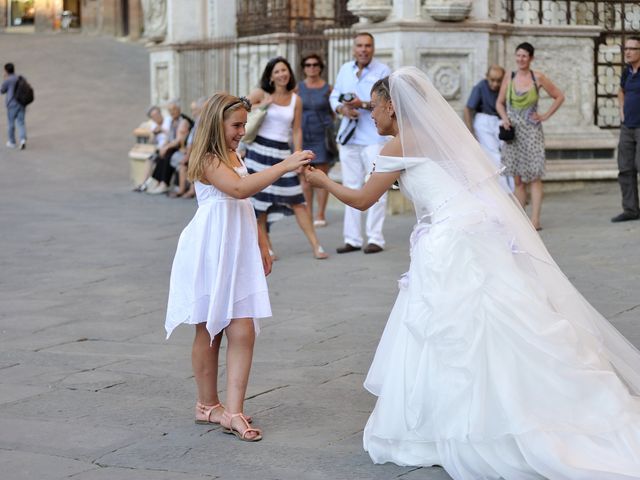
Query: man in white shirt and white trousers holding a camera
point(359, 139)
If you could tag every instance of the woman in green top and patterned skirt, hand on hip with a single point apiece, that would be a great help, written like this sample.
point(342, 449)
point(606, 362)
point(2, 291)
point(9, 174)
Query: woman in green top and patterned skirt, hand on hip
point(517, 105)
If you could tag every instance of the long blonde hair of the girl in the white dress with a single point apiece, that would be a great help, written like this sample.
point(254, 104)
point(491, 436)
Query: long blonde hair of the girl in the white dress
point(209, 141)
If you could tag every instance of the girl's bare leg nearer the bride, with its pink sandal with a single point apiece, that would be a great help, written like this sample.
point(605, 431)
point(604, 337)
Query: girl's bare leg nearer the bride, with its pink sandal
point(240, 340)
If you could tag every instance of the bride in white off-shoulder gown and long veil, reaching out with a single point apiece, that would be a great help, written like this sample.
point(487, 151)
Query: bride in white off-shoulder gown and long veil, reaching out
point(492, 364)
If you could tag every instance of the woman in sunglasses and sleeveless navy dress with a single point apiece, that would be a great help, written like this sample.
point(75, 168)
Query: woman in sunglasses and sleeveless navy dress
point(318, 132)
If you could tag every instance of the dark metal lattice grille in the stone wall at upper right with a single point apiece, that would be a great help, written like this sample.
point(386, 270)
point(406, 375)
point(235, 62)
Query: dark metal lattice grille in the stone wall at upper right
point(619, 19)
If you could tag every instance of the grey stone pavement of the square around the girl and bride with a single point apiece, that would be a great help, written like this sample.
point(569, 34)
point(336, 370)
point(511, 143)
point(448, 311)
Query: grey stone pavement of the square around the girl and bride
point(90, 389)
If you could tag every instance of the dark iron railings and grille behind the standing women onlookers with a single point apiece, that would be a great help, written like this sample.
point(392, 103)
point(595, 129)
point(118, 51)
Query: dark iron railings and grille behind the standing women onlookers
point(266, 29)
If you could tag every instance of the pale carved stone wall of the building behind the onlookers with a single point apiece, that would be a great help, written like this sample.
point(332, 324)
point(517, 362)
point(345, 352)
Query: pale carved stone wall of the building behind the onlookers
point(452, 41)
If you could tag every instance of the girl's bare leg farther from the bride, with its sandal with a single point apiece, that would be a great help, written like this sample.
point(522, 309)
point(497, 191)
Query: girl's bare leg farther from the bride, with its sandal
point(204, 360)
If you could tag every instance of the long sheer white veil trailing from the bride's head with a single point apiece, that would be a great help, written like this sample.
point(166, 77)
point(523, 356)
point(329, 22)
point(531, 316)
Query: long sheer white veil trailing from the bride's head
point(430, 128)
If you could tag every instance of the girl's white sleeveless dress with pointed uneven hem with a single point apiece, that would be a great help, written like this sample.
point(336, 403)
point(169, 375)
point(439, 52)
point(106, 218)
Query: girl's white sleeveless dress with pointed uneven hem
point(217, 272)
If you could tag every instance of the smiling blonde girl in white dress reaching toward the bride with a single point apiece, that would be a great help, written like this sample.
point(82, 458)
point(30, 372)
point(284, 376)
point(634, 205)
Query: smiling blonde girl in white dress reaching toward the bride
point(218, 276)
